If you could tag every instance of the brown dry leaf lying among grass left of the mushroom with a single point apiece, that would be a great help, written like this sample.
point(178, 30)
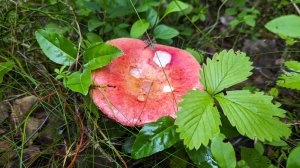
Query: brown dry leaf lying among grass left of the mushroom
point(21, 107)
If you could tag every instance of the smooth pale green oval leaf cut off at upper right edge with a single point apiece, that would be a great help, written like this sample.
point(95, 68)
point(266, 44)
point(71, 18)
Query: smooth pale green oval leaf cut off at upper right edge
point(285, 25)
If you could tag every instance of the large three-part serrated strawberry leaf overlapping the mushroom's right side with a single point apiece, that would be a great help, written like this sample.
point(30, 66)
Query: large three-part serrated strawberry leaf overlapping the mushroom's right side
point(198, 119)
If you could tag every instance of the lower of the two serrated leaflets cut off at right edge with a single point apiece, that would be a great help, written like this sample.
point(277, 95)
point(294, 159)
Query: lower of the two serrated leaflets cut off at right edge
point(289, 80)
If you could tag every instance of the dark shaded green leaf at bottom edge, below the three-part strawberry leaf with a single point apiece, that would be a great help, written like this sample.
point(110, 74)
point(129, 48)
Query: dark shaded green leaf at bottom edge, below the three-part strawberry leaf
point(254, 159)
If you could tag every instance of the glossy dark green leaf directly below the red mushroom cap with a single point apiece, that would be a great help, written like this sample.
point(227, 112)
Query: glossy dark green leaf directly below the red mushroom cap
point(155, 137)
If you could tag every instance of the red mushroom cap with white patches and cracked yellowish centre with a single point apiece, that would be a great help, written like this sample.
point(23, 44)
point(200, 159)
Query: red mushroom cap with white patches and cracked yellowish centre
point(144, 84)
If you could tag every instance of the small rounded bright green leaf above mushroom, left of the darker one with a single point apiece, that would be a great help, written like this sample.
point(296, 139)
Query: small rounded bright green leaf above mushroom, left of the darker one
point(139, 28)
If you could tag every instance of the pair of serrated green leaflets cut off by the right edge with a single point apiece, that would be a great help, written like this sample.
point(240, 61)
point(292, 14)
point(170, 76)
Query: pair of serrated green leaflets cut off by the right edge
point(290, 80)
